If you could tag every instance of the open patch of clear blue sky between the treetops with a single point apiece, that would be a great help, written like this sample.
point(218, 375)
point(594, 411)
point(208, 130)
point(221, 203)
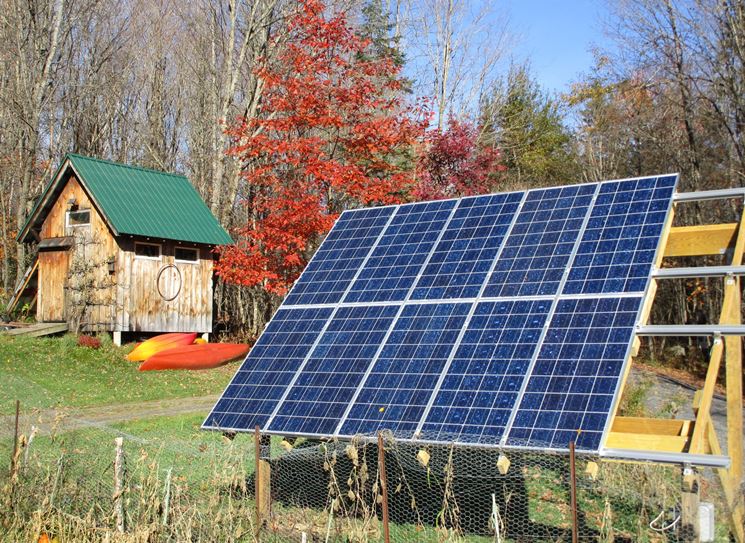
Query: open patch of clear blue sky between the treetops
point(557, 37)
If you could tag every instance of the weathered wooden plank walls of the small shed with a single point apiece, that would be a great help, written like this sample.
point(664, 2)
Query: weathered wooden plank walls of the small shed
point(133, 303)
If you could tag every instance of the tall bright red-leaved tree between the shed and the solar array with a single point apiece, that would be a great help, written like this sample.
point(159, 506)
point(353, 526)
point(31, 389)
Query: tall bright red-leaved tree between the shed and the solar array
point(332, 133)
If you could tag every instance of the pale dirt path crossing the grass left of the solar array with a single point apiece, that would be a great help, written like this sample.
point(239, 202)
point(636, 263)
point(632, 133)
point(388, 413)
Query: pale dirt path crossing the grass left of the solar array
point(66, 419)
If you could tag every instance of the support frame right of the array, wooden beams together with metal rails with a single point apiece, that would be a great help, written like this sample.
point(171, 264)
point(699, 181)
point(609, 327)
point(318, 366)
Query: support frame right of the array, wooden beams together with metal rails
point(694, 442)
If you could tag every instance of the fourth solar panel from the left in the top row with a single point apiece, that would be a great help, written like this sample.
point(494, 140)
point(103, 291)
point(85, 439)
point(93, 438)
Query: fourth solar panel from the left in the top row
point(538, 250)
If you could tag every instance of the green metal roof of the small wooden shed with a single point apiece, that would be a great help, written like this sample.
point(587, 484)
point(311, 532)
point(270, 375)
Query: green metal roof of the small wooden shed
point(138, 201)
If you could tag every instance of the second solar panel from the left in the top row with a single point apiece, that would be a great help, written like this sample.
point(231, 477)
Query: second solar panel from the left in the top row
point(401, 253)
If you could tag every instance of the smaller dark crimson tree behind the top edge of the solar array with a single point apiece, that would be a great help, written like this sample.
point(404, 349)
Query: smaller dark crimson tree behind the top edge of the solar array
point(455, 164)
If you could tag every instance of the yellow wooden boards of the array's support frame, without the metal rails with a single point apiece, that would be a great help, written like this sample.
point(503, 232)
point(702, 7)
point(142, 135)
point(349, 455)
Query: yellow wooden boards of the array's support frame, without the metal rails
point(698, 436)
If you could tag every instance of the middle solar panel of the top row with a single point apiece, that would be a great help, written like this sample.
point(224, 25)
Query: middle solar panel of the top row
point(461, 261)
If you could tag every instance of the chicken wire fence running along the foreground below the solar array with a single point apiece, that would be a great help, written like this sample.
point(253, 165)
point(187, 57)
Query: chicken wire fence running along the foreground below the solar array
point(75, 484)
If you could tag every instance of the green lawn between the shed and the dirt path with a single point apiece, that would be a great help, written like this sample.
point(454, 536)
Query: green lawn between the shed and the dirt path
point(49, 372)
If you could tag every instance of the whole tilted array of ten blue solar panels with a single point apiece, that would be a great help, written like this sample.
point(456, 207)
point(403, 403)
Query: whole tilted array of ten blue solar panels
point(501, 320)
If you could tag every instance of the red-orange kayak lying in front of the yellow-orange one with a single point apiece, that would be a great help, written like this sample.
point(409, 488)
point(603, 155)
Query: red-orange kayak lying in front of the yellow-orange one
point(195, 357)
